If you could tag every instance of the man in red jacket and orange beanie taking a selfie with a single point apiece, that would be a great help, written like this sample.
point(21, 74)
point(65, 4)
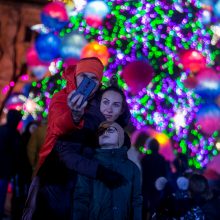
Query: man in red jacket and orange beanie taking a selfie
point(65, 113)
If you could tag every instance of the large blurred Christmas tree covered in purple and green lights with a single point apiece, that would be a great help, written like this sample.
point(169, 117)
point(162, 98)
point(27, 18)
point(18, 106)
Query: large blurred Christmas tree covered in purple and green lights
point(156, 33)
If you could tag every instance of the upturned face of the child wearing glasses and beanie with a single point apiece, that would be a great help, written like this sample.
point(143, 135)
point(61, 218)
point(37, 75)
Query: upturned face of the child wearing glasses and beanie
point(109, 138)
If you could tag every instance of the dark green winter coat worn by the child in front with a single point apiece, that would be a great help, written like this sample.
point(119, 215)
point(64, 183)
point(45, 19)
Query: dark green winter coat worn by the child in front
point(94, 201)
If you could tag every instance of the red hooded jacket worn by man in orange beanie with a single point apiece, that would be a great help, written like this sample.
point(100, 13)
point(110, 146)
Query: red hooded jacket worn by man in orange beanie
point(59, 117)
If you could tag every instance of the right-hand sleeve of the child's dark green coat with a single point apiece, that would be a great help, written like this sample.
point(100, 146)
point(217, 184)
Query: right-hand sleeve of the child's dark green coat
point(137, 196)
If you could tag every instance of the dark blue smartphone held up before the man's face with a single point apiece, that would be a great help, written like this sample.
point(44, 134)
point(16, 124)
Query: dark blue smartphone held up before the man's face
point(85, 88)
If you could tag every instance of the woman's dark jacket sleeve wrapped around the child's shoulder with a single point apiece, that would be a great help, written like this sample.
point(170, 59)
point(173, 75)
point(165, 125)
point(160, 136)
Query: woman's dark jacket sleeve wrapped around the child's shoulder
point(70, 155)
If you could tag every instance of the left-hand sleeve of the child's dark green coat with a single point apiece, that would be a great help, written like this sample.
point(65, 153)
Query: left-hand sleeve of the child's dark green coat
point(81, 199)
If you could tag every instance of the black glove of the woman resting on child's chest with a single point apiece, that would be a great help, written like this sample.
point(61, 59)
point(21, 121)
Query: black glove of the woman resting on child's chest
point(110, 178)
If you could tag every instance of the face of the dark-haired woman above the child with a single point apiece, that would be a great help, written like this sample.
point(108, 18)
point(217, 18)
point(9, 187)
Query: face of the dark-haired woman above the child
point(111, 105)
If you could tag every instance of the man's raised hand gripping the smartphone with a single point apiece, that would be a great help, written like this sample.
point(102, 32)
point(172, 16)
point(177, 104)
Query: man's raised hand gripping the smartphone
point(74, 102)
